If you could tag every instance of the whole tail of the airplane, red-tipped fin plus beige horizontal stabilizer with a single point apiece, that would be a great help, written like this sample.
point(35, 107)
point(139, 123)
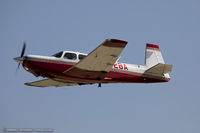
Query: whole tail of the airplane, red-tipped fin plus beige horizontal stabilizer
point(154, 61)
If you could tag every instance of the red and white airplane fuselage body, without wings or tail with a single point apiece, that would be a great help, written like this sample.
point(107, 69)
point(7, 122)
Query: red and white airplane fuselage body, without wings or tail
point(52, 67)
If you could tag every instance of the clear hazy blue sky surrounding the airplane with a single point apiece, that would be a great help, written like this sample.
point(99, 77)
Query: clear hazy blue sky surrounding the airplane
point(50, 26)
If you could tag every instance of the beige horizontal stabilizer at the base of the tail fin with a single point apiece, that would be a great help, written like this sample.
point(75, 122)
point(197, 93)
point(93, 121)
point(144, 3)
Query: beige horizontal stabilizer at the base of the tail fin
point(160, 69)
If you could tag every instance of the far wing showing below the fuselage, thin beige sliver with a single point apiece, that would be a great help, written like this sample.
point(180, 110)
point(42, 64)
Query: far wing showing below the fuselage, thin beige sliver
point(50, 82)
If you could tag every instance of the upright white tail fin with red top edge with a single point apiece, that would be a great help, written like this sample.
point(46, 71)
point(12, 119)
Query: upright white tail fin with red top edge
point(153, 55)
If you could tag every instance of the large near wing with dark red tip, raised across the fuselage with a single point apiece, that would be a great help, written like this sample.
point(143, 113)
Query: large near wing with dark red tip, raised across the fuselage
point(99, 62)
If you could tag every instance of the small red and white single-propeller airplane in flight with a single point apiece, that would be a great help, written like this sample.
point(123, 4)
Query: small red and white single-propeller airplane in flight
point(101, 66)
